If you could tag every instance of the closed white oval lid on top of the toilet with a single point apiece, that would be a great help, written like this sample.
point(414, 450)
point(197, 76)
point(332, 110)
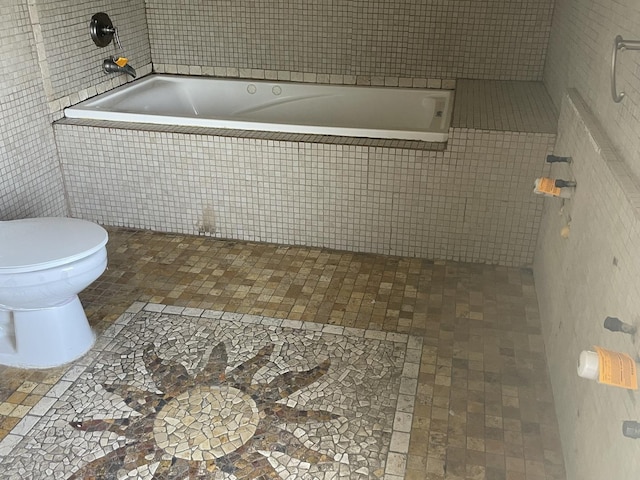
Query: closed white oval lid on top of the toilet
point(38, 243)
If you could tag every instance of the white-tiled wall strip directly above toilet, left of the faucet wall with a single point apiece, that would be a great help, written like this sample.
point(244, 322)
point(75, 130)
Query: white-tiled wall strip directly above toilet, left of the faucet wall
point(30, 179)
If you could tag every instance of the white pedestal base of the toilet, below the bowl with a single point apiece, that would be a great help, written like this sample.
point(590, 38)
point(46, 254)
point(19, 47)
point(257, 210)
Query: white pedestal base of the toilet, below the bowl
point(44, 338)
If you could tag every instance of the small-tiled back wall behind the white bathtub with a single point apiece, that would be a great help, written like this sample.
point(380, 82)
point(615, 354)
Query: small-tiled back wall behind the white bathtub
point(490, 39)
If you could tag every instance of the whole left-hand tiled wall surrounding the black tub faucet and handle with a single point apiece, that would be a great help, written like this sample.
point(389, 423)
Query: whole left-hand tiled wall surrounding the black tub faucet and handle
point(48, 62)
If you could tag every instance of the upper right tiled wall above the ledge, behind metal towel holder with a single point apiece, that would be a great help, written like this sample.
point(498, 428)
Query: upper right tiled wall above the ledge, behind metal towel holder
point(579, 57)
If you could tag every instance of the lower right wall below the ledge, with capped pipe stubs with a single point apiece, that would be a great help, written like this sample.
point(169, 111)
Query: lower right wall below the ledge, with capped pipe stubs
point(582, 279)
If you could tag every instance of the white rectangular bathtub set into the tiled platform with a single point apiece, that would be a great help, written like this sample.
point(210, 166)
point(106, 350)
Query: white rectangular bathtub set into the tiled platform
point(352, 111)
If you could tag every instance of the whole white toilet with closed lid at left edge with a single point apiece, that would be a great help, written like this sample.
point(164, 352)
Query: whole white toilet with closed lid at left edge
point(44, 264)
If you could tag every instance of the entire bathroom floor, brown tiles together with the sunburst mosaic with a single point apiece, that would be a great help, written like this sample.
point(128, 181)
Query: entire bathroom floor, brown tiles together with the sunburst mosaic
point(461, 389)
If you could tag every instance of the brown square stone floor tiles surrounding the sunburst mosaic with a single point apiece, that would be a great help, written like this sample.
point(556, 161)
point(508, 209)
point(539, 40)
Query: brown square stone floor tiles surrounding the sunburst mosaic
point(483, 407)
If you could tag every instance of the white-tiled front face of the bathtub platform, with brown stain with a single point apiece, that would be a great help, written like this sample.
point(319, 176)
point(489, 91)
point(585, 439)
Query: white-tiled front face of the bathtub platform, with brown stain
point(472, 202)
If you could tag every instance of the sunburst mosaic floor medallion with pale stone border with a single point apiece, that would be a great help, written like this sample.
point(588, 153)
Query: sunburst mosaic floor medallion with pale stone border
point(173, 393)
